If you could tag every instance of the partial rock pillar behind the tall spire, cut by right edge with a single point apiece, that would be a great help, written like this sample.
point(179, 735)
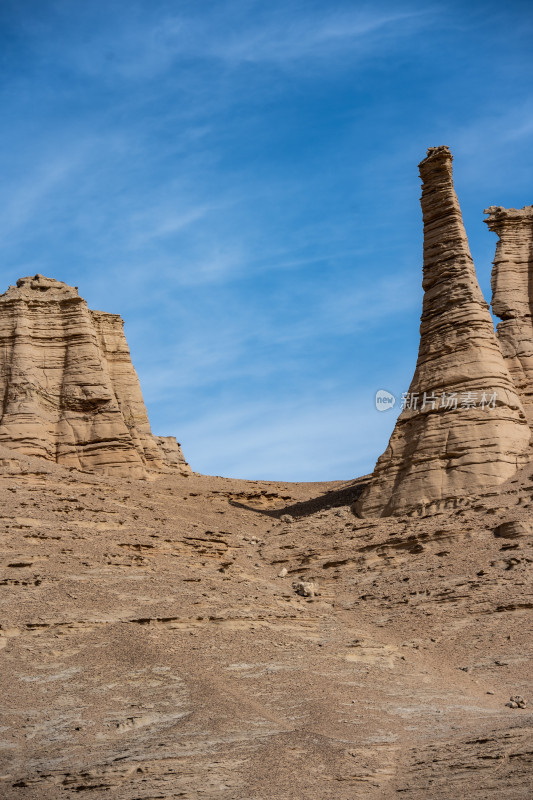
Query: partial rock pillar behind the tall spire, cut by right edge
point(512, 295)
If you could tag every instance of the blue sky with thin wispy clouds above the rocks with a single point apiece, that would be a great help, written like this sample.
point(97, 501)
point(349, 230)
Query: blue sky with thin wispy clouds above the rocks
point(239, 181)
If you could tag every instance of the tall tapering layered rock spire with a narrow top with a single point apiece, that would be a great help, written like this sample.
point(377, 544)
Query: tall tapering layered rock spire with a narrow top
point(454, 441)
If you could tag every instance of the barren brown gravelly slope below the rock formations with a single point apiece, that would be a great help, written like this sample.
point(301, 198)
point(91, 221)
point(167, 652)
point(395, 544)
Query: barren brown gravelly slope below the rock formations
point(153, 643)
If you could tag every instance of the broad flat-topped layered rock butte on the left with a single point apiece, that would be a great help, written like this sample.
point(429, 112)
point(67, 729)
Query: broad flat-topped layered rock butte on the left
point(69, 391)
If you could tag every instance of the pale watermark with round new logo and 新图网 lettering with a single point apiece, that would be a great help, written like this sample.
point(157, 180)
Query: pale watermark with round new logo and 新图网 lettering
point(445, 401)
